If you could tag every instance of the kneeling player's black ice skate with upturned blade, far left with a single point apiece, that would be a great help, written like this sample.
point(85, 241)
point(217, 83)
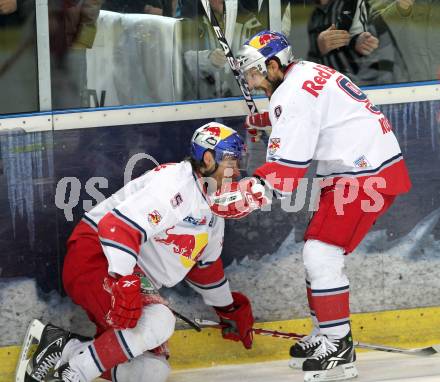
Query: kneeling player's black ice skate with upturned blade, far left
point(52, 341)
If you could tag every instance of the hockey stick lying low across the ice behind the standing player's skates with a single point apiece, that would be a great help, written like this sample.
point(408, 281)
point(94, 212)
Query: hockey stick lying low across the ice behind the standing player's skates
point(426, 351)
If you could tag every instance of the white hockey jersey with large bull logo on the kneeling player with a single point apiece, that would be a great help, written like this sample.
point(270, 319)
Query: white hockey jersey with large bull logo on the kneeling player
point(162, 222)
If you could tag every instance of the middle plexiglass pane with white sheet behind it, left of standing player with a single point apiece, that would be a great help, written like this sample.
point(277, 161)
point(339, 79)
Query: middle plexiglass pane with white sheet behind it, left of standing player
point(124, 53)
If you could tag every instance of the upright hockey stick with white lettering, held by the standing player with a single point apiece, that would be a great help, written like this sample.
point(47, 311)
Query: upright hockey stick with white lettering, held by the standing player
point(241, 81)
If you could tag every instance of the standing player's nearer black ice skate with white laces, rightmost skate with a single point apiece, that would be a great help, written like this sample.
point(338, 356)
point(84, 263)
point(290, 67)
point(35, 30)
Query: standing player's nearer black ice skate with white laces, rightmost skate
point(333, 360)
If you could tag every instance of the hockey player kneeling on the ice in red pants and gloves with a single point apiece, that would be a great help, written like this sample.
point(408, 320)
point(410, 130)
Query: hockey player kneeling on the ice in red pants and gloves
point(161, 228)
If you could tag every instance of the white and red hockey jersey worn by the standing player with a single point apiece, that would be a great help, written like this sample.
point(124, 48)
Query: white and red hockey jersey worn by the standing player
point(319, 114)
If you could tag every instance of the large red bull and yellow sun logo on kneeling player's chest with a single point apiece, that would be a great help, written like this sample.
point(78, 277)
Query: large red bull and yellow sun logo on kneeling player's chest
point(188, 247)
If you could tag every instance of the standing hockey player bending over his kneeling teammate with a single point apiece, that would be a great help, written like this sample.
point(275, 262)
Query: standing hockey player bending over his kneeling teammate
point(317, 113)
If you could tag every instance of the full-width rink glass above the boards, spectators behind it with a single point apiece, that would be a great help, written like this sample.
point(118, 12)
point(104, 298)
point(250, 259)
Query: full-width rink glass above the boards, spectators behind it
point(114, 52)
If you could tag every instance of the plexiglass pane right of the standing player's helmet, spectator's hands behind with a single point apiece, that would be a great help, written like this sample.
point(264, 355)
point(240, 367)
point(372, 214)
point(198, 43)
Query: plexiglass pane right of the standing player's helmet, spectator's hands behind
point(373, 42)
